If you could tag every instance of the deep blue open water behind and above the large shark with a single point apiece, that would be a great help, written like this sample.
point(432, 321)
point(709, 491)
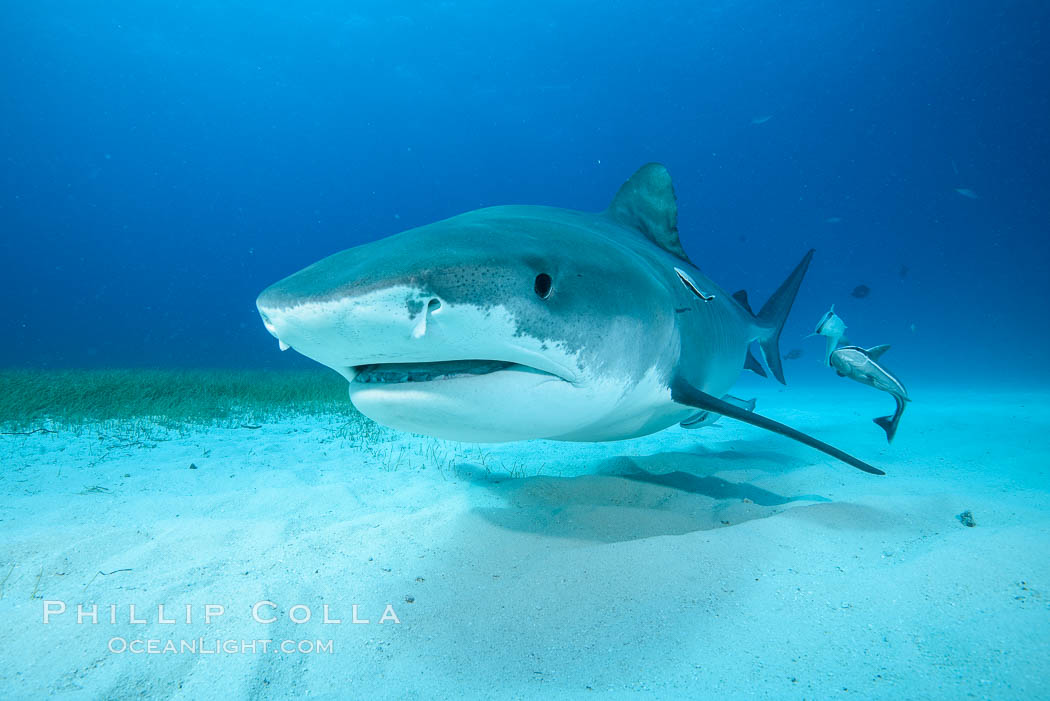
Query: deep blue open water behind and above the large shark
point(162, 163)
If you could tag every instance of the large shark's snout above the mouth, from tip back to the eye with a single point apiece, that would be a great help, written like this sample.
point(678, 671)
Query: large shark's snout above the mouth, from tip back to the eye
point(444, 293)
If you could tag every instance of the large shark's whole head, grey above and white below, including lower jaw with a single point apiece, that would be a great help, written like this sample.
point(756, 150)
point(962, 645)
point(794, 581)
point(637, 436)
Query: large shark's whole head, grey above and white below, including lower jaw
point(499, 325)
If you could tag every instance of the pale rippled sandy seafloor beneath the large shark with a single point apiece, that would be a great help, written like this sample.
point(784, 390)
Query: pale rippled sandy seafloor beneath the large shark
point(724, 563)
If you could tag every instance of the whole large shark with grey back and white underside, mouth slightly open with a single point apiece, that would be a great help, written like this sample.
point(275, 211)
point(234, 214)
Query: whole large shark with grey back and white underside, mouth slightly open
point(536, 323)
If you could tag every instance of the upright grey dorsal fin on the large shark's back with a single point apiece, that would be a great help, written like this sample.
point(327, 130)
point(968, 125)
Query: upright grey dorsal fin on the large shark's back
point(647, 203)
